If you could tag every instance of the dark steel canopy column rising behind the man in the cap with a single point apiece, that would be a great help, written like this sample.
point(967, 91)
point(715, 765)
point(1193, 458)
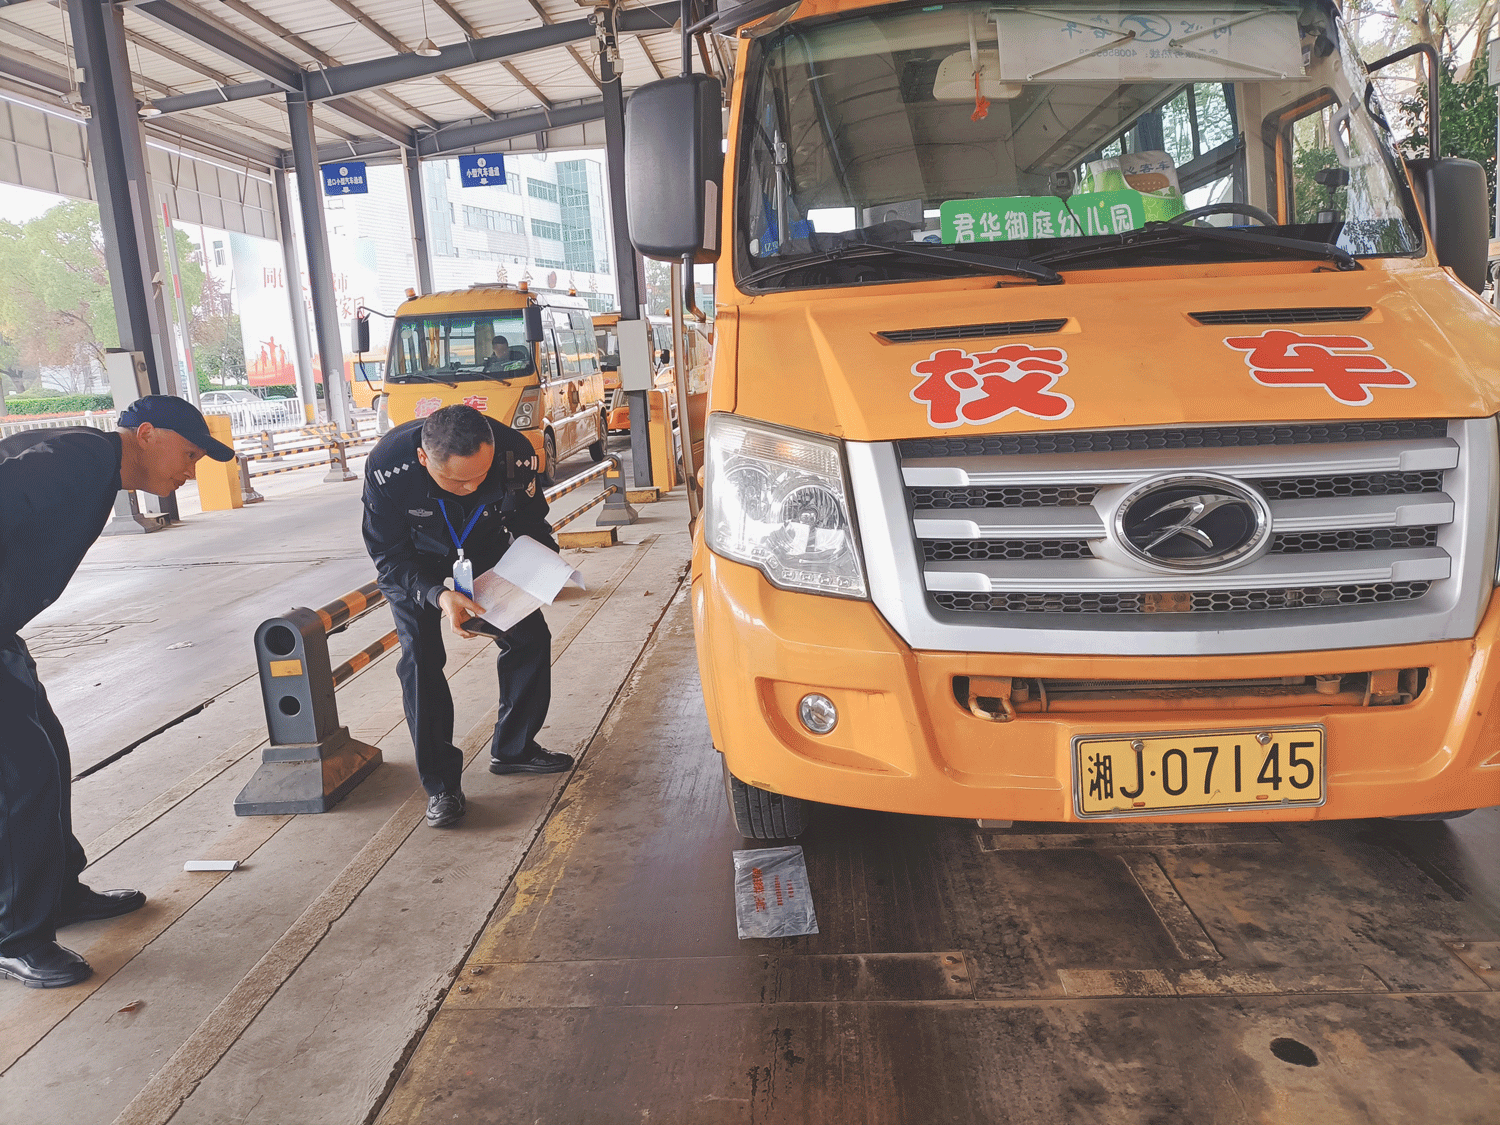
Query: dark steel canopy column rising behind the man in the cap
point(122, 182)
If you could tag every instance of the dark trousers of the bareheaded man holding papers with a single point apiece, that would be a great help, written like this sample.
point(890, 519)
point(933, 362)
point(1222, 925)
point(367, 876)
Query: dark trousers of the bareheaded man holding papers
point(526, 692)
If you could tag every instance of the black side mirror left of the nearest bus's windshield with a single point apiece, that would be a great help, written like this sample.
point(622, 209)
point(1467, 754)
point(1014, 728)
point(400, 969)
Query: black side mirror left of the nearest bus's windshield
point(676, 167)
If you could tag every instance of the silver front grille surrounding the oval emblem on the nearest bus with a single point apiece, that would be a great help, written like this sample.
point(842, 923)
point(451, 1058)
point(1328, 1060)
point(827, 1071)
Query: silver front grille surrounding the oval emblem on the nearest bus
point(1382, 533)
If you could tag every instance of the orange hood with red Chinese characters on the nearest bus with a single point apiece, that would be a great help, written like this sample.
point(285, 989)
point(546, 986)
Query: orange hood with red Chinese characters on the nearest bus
point(1108, 350)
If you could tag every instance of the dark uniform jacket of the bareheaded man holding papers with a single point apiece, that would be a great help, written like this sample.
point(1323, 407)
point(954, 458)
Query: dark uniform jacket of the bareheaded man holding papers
point(404, 526)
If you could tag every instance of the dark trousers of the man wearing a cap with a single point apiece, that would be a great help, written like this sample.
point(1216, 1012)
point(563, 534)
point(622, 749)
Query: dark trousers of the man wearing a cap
point(40, 857)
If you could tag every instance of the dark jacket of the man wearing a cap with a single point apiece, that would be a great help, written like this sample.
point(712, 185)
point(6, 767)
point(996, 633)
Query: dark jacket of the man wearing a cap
point(58, 488)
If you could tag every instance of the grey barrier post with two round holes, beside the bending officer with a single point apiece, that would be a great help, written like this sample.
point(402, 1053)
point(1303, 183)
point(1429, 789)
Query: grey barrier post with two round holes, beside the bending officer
point(313, 763)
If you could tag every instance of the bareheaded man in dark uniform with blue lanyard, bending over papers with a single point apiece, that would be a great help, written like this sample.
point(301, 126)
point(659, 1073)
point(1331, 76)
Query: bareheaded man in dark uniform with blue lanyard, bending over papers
point(451, 491)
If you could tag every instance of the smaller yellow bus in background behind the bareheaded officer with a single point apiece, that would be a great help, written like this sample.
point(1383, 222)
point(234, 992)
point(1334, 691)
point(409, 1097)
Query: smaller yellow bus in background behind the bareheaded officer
point(521, 358)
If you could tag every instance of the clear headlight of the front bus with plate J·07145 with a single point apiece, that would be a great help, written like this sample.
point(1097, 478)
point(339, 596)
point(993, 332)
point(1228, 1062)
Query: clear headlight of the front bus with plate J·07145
point(779, 502)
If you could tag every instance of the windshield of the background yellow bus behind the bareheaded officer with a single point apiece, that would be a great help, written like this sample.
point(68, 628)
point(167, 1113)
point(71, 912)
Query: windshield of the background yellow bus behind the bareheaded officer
point(461, 347)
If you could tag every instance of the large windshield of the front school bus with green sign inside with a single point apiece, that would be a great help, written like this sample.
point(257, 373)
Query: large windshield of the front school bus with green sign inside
point(919, 142)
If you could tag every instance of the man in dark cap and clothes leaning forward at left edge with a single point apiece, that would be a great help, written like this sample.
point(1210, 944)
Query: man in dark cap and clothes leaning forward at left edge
point(58, 488)
